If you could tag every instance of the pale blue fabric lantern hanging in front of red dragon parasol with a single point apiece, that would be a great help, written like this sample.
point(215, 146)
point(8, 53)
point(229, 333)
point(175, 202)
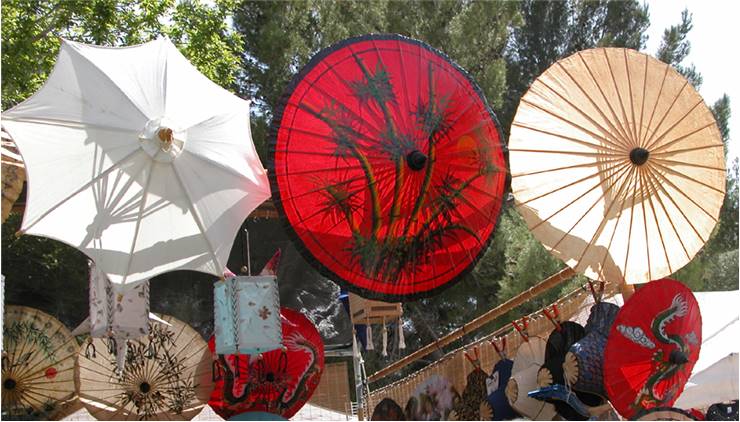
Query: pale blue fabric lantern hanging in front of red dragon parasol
point(247, 315)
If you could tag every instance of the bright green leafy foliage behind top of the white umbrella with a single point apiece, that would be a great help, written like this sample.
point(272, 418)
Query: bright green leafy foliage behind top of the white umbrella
point(31, 30)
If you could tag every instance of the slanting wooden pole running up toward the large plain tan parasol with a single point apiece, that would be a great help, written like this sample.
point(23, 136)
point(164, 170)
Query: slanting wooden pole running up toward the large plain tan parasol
point(531, 293)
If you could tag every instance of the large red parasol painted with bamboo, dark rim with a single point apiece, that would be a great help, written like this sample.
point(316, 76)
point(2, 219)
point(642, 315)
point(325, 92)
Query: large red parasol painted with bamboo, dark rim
point(387, 167)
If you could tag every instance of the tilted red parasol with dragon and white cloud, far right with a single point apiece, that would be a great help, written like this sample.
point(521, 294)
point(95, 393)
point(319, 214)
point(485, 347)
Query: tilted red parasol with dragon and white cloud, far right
point(652, 347)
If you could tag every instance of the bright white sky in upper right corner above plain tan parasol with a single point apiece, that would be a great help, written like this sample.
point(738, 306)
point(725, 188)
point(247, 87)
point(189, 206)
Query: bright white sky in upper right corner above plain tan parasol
point(714, 49)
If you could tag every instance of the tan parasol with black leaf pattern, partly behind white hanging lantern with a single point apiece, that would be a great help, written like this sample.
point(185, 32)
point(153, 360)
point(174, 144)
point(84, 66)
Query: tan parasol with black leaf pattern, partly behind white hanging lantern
point(167, 376)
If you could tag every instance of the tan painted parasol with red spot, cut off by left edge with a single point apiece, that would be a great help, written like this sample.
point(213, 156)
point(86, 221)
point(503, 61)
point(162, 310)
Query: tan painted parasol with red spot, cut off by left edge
point(38, 361)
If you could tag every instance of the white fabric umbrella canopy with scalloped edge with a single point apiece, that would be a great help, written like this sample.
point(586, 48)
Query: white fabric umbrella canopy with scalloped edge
point(137, 159)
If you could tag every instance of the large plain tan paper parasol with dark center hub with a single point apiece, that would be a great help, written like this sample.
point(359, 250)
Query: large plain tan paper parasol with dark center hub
point(617, 165)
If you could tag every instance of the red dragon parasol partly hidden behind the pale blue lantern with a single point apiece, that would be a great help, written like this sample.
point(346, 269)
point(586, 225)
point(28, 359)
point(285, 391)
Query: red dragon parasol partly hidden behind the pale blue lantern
point(279, 381)
